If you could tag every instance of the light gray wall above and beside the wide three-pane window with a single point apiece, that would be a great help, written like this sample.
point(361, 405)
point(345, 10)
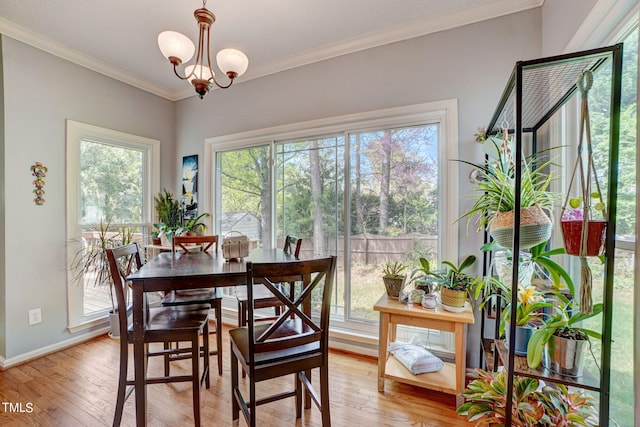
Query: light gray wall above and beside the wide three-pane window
point(471, 64)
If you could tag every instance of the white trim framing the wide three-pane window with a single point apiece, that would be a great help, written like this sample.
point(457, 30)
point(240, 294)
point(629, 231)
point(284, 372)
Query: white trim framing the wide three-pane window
point(445, 113)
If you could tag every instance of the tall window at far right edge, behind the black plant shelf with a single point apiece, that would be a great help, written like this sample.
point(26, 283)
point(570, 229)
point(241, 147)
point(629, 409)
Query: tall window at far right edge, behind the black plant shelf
point(622, 365)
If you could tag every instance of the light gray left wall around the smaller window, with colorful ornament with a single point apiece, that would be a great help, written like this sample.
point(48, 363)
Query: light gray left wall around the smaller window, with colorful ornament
point(40, 92)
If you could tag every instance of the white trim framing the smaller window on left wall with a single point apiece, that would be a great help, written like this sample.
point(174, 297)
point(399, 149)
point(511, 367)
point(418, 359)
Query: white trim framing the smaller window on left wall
point(76, 132)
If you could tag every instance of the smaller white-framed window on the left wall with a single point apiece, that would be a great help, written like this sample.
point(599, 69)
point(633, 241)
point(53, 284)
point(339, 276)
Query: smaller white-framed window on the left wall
point(108, 183)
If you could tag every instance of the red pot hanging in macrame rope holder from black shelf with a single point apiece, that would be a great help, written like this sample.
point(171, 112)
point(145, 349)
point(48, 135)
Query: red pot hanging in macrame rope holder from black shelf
point(583, 235)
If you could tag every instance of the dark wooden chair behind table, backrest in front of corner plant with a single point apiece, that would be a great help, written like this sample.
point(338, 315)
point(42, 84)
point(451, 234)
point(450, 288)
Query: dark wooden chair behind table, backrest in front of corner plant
point(211, 296)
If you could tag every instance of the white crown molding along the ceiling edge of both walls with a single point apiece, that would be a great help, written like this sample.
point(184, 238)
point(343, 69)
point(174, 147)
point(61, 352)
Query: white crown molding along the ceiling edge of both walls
point(421, 27)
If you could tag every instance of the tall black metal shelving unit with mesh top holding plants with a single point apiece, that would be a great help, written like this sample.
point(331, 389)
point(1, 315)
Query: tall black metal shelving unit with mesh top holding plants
point(536, 90)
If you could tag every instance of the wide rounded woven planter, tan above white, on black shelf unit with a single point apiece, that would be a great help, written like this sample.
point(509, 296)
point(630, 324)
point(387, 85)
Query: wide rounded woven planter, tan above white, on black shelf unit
point(535, 227)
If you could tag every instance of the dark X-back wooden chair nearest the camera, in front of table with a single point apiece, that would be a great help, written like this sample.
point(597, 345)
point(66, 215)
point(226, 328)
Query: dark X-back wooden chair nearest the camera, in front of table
point(295, 343)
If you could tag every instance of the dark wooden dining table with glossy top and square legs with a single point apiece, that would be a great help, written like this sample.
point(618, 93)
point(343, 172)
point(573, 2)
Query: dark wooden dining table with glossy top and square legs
point(176, 271)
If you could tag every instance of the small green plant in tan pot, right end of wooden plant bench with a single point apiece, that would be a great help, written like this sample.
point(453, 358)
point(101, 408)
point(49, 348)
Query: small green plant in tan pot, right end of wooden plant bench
point(455, 285)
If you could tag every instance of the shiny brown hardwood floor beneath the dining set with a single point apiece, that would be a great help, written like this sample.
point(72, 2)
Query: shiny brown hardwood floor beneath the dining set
point(77, 387)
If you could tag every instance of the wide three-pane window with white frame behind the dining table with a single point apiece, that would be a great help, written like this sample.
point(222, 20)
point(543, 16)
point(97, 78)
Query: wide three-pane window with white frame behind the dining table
point(367, 188)
